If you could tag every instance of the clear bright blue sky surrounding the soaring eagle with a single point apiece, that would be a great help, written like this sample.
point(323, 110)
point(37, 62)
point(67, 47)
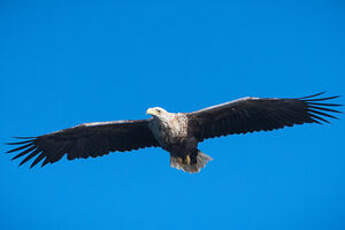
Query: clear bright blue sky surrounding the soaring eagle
point(68, 62)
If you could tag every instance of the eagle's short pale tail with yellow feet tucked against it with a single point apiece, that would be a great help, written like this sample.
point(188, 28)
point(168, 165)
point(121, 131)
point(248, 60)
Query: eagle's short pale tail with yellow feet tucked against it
point(191, 162)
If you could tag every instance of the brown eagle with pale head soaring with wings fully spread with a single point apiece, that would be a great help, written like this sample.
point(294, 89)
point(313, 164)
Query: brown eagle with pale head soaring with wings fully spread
point(177, 133)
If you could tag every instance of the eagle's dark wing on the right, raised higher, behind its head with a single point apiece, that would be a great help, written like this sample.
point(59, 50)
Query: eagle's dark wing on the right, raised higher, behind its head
point(251, 114)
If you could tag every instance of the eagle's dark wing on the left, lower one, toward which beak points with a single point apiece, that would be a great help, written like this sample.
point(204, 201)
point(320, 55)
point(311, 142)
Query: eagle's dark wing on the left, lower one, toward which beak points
point(85, 140)
